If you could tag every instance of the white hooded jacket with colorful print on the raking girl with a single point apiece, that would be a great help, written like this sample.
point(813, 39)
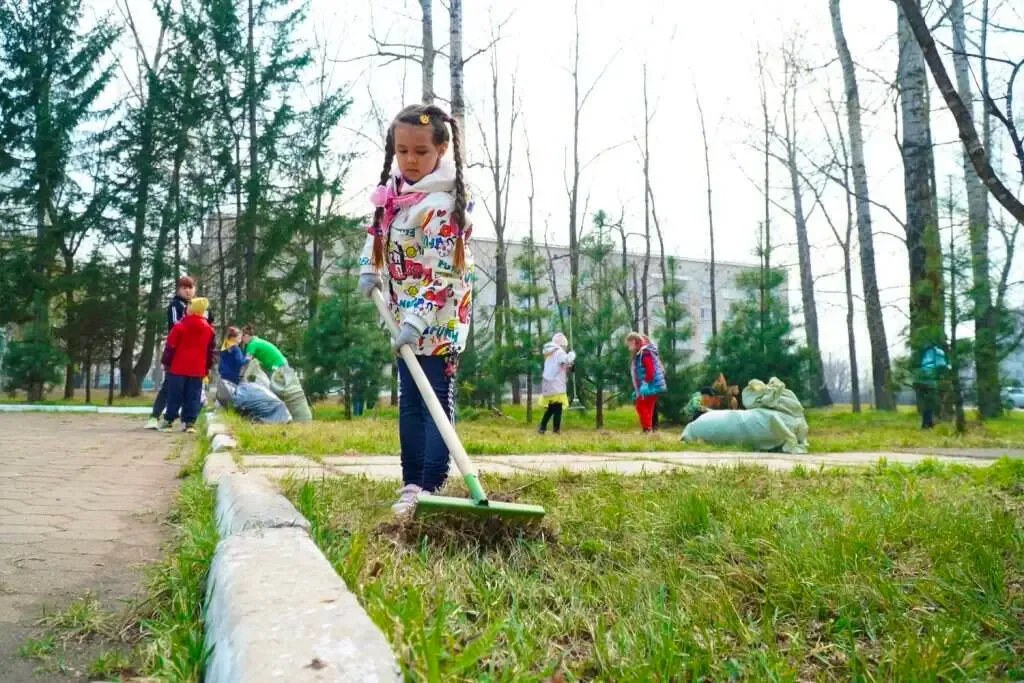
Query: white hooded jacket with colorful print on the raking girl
point(419, 275)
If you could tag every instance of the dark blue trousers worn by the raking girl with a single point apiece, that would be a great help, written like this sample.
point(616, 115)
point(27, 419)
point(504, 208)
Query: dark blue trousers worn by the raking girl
point(424, 454)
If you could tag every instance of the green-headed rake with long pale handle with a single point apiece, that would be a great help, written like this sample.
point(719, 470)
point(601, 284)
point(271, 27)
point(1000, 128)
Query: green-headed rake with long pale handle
point(478, 503)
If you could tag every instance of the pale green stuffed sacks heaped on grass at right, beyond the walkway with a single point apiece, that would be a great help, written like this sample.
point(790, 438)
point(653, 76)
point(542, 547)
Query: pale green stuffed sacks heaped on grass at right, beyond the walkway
point(774, 420)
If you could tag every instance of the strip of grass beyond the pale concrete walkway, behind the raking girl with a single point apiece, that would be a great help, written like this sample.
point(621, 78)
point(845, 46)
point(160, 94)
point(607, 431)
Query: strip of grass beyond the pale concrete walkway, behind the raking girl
point(831, 432)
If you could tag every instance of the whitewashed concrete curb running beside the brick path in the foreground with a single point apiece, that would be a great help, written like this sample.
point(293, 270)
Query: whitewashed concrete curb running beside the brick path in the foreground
point(276, 610)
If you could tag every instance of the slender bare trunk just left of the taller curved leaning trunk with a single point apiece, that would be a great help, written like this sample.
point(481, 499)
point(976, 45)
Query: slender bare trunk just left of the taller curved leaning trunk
point(820, 387)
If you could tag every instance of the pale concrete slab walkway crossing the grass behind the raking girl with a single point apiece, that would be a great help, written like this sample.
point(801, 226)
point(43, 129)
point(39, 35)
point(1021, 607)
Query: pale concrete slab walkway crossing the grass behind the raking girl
point(389, 467)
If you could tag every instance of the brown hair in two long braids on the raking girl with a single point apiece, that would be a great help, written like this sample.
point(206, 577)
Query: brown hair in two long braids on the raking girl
point(440, 120)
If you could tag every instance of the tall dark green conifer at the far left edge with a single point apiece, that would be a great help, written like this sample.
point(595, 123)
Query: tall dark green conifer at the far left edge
point(53, 75)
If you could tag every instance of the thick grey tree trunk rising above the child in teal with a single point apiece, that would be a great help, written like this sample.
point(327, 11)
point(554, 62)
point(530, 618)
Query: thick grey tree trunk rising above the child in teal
point(924, 249)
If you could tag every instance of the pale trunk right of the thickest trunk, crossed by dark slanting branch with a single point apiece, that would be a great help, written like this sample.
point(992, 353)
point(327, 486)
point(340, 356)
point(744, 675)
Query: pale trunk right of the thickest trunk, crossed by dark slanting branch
point(986, 352)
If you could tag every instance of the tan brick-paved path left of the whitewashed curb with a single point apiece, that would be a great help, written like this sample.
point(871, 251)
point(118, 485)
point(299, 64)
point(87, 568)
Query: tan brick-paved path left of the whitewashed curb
point(82, 502)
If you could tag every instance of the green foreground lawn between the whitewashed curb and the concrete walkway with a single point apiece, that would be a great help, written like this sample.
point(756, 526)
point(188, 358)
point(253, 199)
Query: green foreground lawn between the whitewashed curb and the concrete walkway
point(886, 574)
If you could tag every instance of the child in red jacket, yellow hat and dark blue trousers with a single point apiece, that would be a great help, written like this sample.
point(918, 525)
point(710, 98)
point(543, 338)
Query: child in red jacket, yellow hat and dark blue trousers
point(189, 356)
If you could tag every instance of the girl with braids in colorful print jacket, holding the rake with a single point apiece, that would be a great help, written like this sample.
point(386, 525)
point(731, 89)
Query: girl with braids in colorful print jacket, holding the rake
point(417, 255)
